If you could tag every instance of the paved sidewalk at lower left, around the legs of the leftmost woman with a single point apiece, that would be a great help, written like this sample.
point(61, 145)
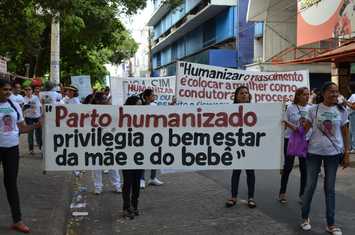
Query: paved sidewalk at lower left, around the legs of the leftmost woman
point(44, 198)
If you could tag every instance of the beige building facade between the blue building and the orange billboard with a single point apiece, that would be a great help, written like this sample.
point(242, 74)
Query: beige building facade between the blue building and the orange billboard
point(275, 41)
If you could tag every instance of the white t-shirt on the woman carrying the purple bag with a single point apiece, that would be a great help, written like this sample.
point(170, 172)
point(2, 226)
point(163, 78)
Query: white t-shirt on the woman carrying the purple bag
point(295, 114)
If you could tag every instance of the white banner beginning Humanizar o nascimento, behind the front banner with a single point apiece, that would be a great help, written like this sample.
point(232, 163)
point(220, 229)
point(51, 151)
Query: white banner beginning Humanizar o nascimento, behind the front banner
point(198, 84)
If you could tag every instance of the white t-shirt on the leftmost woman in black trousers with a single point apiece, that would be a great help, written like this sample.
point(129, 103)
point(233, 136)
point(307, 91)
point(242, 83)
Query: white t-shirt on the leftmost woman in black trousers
point(9, 132)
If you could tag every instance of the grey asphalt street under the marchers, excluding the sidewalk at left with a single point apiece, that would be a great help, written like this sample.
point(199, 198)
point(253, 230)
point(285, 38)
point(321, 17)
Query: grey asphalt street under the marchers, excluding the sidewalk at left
point(193, 203)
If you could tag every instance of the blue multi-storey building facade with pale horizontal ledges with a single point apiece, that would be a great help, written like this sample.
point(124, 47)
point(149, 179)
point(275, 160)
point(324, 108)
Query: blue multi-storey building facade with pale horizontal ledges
point(200, 31)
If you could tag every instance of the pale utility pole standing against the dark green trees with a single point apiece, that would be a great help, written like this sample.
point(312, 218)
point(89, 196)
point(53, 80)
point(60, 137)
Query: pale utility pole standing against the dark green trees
point(55, 50)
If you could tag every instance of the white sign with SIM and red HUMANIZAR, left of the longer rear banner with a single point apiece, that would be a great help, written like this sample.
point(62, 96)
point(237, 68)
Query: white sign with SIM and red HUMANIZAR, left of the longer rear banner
point(163, 87)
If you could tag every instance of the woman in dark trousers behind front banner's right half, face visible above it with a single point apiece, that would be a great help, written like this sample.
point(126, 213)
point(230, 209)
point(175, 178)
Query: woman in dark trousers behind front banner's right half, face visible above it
point(242, 95)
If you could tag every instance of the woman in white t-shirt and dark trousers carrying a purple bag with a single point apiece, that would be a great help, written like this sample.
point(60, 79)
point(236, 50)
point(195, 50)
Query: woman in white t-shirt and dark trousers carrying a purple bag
point(295, 116)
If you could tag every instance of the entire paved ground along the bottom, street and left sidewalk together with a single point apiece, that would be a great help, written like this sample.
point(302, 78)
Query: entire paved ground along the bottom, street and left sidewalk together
point(188, 203)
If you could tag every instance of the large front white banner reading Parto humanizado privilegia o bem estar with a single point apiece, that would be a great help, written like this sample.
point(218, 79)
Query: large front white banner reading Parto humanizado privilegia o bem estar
point(230, 136)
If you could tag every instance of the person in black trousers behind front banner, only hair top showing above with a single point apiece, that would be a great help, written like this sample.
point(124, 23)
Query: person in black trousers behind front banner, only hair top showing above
point(131, 179)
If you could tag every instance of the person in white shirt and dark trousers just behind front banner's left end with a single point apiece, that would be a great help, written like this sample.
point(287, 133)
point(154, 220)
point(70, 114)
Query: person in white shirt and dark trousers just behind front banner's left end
point(32, 114)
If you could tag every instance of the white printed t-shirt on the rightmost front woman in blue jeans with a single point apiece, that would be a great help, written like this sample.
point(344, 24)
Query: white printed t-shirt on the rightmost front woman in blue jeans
point(326, 121)
